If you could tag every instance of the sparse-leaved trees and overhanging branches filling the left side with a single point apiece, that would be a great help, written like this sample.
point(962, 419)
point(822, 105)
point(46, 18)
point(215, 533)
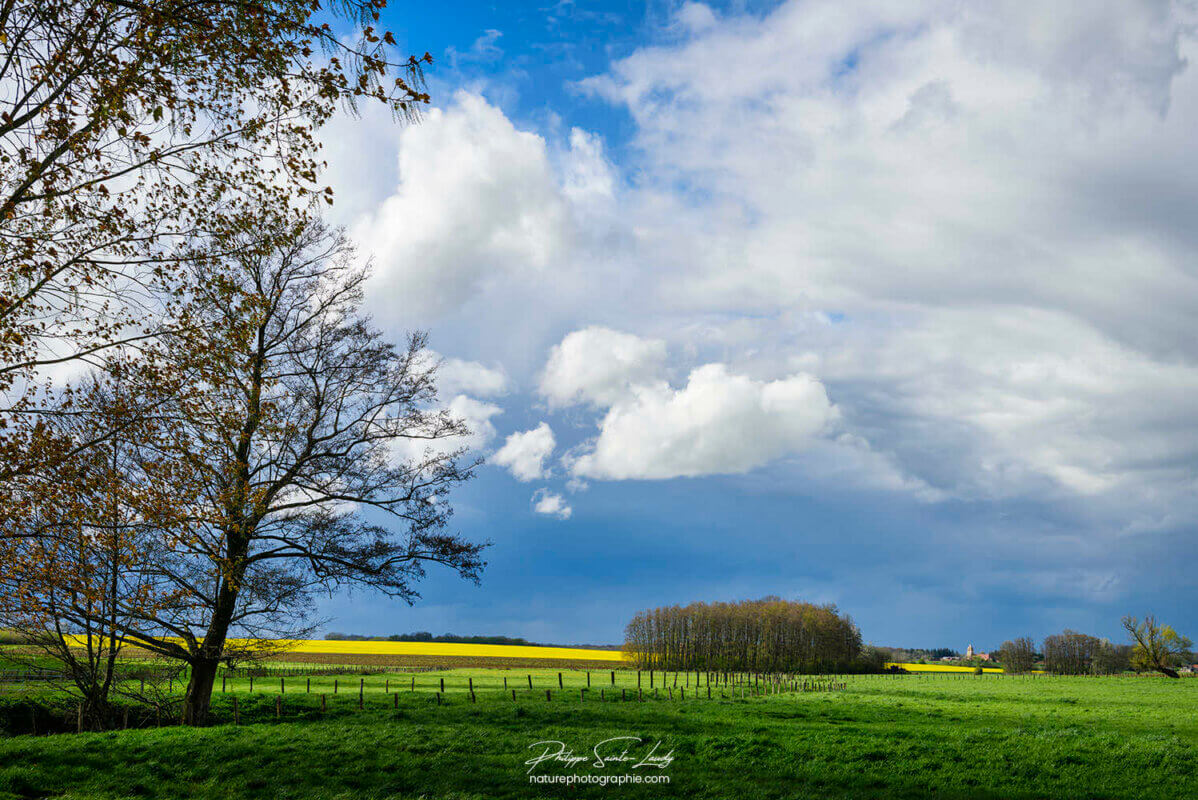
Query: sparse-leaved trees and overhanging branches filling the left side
point(195, 414)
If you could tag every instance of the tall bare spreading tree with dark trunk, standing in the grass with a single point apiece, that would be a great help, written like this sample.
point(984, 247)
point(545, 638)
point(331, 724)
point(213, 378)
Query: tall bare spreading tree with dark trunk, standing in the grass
point(310, 450)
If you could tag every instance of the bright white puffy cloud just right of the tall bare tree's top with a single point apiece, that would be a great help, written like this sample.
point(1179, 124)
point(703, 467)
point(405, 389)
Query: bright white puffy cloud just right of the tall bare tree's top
point(477, 201)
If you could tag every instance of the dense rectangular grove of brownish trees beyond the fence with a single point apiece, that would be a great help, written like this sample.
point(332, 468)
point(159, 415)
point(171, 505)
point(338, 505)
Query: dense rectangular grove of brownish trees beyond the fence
point(767, 635)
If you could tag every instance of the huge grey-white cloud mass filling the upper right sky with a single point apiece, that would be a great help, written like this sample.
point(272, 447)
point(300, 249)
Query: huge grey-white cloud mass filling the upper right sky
point(988, 201)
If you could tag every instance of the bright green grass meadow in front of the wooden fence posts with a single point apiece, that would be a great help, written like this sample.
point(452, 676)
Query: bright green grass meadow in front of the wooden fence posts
point(910, 737)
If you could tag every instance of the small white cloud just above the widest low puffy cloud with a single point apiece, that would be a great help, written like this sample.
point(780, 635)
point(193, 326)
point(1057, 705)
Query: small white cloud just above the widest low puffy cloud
point(597, 366)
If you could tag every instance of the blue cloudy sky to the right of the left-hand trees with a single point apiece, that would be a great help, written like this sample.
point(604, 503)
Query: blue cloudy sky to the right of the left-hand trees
point(884, 305)
